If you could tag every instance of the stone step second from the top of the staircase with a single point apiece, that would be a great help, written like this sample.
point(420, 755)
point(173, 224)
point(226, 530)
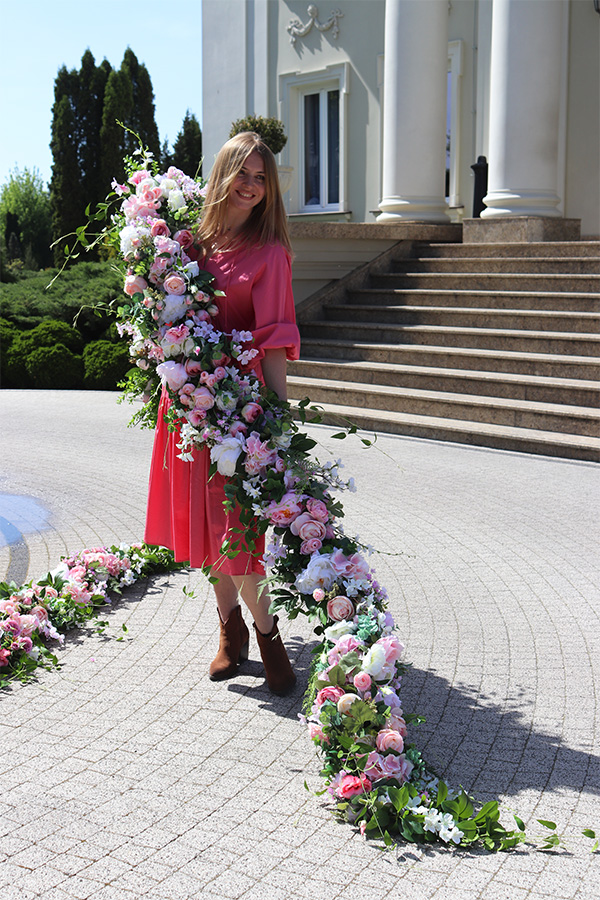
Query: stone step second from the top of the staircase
point(567, 265)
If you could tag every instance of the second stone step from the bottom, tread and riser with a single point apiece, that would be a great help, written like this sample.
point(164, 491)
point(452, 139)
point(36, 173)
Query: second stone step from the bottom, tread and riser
point(491, 410)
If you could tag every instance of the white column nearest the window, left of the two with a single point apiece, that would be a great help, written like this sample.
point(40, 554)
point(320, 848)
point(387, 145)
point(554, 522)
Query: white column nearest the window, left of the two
point(414, 111)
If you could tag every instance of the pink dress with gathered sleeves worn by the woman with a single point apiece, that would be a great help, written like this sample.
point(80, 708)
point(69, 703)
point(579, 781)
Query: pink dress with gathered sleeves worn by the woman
point(185, 511)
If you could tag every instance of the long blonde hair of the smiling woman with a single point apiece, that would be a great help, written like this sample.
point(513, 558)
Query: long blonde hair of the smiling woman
point(267, 222)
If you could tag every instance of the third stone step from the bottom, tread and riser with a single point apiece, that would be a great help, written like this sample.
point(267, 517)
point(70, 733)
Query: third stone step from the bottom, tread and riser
point(490, 384)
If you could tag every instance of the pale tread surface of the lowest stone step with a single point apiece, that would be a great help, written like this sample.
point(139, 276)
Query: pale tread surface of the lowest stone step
point(464, 426)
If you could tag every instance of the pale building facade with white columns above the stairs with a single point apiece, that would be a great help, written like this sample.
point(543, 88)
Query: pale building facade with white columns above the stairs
point(369, 89)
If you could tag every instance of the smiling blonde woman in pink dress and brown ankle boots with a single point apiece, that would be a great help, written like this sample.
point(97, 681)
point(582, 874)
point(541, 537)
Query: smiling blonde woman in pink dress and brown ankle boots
point(244, 243)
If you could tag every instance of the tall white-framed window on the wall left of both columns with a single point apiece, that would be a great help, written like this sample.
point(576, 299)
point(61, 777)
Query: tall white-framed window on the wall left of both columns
point(313, 109)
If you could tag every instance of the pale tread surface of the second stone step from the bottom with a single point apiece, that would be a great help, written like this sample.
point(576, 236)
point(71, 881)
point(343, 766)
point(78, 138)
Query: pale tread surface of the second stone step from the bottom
point(449, 397)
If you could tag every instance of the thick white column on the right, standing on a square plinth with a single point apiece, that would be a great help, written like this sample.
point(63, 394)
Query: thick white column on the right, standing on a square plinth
point(526, 73)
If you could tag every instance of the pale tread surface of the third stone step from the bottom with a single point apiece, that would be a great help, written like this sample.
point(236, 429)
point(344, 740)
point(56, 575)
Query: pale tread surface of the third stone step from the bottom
point(466, 374)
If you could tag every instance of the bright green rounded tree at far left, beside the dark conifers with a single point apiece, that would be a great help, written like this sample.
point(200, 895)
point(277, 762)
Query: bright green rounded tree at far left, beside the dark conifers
point(25, 220)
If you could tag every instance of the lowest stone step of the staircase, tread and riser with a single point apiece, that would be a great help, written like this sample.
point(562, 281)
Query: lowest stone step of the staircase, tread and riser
point(479, 434)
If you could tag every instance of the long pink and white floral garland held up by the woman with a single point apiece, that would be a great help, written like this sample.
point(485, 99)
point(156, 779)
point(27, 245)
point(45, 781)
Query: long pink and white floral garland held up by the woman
point(378, 781)
